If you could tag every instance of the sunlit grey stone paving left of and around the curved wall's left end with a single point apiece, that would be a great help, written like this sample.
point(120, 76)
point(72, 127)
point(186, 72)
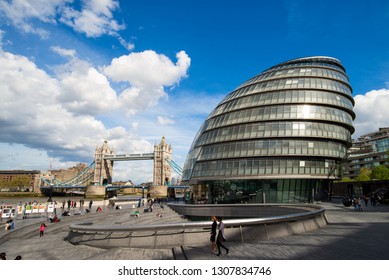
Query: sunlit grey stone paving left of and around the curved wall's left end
point(24, 240)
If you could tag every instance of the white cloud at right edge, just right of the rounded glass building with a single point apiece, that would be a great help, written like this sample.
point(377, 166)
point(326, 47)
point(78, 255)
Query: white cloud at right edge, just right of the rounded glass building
point(371, 111)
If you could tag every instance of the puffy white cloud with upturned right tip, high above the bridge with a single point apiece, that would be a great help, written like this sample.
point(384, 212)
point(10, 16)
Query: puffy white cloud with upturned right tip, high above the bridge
point(147, 74)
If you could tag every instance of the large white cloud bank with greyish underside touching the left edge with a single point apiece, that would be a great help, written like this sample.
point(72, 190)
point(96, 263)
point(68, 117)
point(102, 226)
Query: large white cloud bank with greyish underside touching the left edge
point(30, 113)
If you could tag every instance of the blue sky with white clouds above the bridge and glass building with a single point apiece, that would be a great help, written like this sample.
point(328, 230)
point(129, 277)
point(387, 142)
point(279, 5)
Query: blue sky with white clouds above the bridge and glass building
point(76, 73)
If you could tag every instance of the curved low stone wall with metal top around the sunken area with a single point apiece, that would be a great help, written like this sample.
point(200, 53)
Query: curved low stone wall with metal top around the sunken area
point(306, 218)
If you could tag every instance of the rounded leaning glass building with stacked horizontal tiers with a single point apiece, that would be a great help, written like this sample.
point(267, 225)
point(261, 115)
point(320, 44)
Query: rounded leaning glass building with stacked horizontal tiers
point(280, 137)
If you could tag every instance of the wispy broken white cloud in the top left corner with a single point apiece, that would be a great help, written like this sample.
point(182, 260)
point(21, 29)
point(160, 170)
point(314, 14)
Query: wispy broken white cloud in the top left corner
point(94, 18)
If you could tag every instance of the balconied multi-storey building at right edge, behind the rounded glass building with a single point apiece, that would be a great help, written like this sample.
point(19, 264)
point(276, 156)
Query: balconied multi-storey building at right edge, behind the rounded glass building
point(368, 150)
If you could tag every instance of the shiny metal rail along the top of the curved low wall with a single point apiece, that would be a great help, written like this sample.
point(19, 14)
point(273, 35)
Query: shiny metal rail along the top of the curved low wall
point(89, 227)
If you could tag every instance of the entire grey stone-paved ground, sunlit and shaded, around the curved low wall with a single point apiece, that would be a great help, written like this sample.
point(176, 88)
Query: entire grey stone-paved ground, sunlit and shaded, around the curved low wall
point(348, 236)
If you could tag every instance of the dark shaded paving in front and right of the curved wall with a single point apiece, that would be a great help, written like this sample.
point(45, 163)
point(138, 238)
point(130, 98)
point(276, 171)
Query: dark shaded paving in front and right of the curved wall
point(349, 236)
